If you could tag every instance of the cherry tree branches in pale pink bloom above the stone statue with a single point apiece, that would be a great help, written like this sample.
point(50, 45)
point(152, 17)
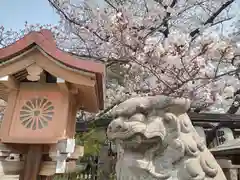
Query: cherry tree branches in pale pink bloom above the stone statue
point(170, 47)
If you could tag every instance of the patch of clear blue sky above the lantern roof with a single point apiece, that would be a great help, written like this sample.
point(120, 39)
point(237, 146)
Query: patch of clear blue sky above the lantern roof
point(14, 13)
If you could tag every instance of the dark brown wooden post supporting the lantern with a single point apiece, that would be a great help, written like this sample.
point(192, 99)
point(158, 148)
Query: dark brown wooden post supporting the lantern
point(32, 163)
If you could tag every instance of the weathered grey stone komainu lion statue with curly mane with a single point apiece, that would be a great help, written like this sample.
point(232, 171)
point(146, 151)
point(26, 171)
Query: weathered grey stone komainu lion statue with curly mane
point(156, 140)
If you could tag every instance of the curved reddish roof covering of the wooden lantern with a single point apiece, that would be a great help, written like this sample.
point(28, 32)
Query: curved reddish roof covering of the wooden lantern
point(44, 39)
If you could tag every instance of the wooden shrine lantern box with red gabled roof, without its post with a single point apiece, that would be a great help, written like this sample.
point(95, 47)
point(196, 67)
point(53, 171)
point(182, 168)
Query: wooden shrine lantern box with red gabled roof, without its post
point(44, 88)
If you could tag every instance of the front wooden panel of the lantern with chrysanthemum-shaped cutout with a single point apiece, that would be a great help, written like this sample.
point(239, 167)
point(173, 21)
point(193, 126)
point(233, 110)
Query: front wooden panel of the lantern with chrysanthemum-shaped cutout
point(40, 115)
